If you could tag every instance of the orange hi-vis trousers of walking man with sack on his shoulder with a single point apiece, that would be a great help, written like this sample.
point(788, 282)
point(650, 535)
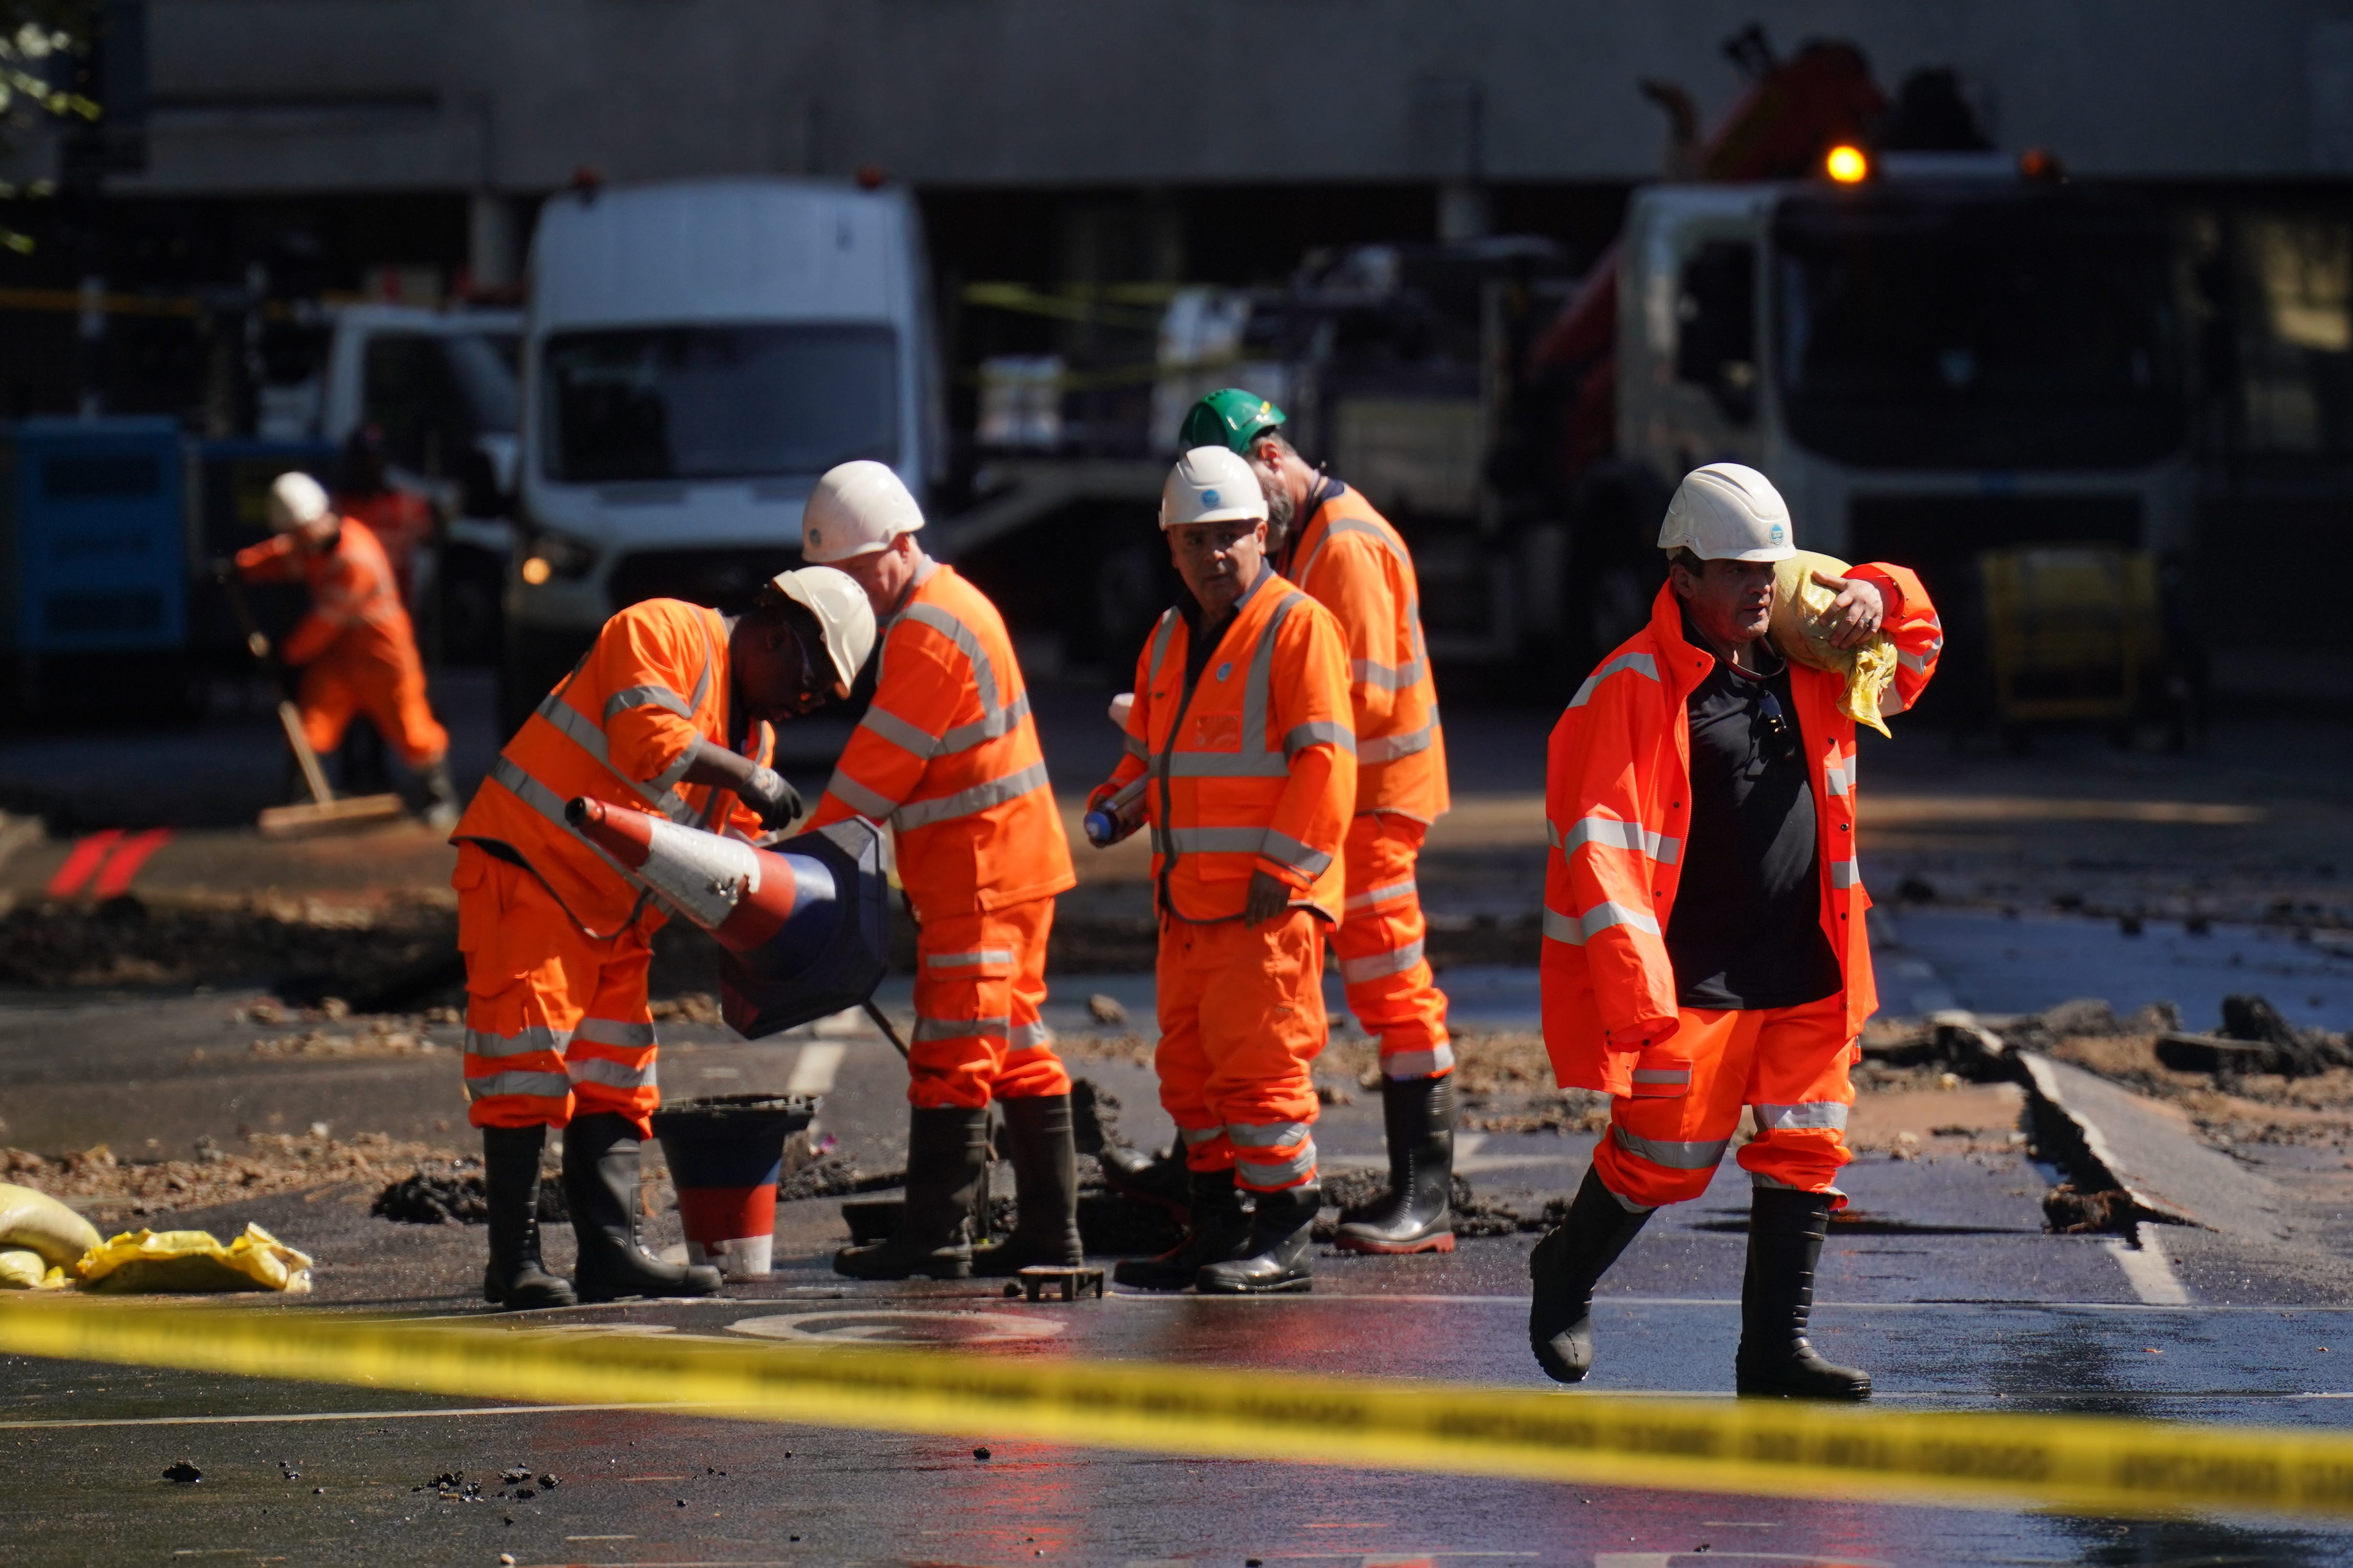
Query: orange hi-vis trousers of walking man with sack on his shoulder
point(1787, 1064)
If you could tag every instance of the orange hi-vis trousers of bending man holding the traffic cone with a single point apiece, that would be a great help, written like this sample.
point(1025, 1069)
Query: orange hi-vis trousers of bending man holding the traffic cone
point(556, 1024)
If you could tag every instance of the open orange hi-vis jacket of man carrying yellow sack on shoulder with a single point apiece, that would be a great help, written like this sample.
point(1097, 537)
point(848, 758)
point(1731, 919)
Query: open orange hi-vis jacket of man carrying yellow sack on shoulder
point(1618, 812)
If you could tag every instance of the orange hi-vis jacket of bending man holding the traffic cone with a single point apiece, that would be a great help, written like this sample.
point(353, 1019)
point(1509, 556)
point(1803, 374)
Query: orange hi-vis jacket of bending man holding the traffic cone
point(620, 728)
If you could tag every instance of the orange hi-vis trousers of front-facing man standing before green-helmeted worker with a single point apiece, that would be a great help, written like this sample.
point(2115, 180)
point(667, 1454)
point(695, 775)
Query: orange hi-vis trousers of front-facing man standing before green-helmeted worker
point(1241, 1026)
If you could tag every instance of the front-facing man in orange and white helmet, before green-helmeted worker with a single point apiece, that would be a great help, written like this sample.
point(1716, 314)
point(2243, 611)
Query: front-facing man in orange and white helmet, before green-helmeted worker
point(1244, 760)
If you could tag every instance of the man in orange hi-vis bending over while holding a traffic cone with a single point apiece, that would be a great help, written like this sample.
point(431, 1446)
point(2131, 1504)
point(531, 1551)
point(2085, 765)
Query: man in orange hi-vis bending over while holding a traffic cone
point(667, 713)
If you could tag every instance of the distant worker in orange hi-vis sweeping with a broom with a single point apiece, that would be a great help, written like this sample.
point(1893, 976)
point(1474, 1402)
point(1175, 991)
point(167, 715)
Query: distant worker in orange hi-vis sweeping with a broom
point(356, 648)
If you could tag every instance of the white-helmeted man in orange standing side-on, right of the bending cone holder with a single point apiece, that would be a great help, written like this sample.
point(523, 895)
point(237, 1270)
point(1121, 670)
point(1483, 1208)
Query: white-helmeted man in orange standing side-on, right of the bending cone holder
point(949, 758)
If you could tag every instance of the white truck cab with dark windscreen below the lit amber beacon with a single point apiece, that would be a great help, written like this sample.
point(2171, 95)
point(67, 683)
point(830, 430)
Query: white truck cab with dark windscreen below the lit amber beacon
point(1931, 363)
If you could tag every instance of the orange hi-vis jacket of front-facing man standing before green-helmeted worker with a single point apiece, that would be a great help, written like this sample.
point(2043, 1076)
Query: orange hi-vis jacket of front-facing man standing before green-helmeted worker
point(1253, 765)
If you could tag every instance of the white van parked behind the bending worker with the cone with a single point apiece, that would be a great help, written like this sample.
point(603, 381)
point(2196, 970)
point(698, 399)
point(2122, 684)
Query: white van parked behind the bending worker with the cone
point(695, 356)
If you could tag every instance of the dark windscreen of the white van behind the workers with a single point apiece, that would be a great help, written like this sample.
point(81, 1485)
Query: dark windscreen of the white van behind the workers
point(716, 401)
